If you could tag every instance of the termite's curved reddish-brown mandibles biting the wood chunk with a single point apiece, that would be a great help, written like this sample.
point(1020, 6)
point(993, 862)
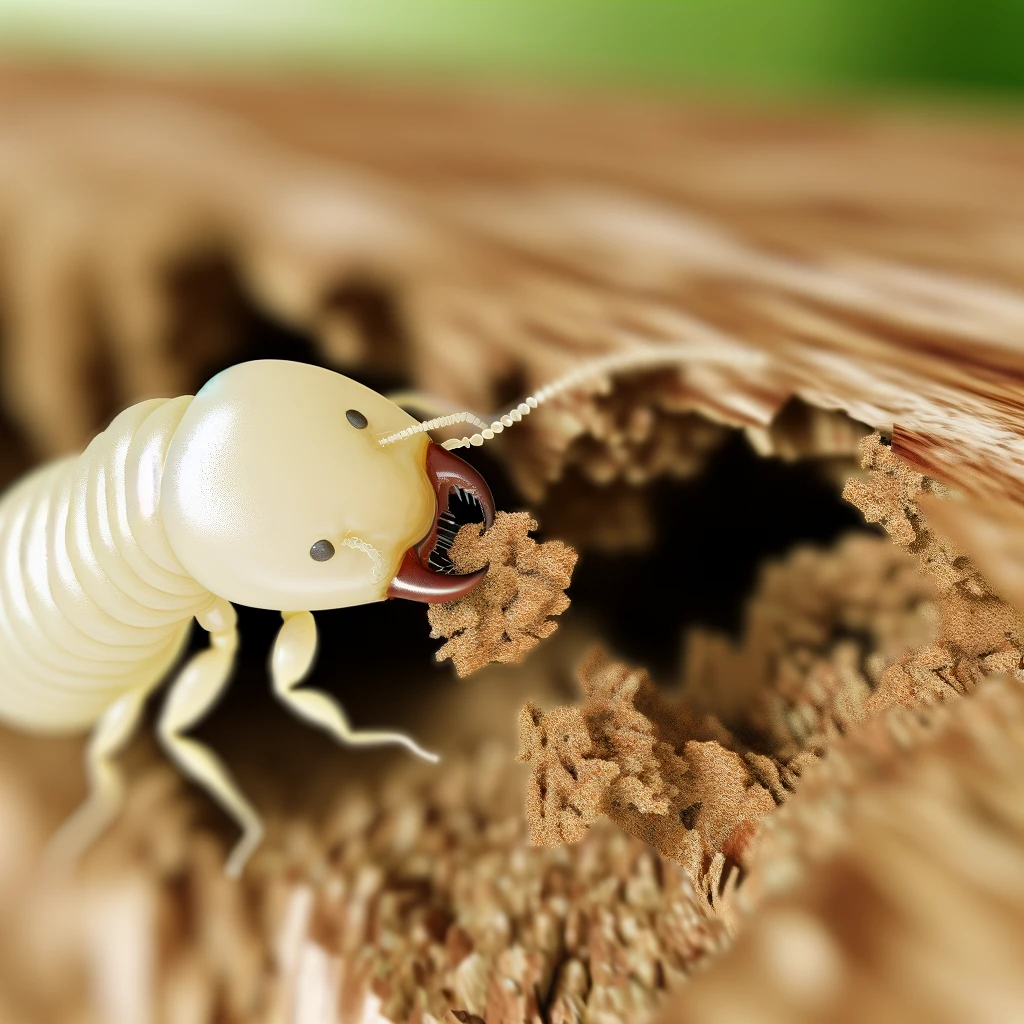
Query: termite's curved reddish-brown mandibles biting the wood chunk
point(417, 580)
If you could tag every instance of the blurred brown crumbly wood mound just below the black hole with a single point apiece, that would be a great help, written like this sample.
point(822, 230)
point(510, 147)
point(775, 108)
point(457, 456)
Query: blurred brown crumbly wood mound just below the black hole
point(820, 632)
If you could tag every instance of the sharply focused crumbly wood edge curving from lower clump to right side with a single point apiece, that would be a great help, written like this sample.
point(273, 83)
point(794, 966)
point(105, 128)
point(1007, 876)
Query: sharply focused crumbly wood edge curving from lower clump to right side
point(685, 783)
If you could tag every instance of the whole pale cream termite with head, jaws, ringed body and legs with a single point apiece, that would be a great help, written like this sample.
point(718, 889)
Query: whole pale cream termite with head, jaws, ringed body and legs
point(182, 507)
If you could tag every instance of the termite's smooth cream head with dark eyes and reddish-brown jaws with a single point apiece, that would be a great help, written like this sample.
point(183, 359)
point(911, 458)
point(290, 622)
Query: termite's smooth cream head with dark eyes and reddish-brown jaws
point(276, 494)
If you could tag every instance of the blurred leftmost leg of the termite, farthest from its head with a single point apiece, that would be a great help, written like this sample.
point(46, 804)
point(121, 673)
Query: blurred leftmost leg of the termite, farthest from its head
point(107, 787)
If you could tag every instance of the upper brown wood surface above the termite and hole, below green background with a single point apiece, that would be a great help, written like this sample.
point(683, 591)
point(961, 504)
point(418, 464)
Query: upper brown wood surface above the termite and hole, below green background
point(867, 263)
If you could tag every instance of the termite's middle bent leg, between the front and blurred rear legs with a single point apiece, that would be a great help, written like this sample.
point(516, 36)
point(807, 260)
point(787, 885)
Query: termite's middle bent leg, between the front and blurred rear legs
point(192, 696)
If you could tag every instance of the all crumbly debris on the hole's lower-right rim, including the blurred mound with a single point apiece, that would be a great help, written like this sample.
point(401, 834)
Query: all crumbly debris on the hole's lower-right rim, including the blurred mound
point(832, 641)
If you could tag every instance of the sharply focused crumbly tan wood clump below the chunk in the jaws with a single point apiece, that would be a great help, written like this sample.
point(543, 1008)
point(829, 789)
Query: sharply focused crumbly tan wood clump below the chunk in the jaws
point(608, 757)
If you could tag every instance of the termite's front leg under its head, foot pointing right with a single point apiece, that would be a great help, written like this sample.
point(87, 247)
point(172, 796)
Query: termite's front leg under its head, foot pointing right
point(290, 662)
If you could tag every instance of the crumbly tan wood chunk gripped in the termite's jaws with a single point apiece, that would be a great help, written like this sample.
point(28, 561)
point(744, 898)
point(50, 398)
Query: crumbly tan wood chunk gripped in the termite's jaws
point(514, 608)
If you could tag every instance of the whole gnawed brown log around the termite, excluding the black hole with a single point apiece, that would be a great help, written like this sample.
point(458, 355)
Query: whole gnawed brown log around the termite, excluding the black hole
point(820, 820)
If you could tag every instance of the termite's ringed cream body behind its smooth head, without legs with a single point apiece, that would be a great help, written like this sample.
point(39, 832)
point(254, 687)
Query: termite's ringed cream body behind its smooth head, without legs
point(93, 602)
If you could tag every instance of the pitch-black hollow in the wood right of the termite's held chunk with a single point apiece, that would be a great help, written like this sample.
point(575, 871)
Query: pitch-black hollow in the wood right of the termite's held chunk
point(714, 535)
